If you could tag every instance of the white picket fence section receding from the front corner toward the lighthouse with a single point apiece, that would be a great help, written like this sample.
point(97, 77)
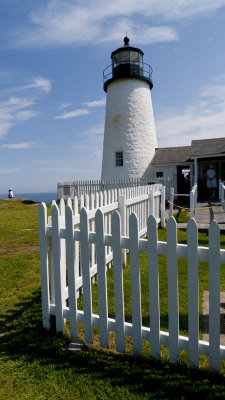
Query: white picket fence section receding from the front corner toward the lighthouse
point(144, 201)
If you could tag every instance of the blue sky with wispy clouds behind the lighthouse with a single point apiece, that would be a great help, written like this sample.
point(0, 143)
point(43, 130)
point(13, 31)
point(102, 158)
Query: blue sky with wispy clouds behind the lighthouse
point(52, 103)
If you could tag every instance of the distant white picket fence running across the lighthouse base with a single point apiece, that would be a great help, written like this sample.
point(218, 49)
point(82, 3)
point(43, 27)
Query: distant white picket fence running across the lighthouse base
point(78, 188)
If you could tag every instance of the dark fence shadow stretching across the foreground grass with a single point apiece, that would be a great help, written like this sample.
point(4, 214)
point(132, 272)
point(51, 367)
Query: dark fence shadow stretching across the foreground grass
point(141, 376)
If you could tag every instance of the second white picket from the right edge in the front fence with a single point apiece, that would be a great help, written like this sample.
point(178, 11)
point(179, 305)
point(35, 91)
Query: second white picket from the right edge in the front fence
point(193, 292)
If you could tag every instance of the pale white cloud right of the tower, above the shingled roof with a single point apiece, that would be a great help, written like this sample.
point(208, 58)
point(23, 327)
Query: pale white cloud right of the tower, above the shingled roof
point(203, 119)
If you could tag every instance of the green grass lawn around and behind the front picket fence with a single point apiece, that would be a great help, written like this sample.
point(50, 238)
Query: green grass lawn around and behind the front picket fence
point(35, 364)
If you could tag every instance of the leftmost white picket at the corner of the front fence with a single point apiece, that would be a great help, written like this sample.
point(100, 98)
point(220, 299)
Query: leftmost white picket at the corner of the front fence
point(44, 266)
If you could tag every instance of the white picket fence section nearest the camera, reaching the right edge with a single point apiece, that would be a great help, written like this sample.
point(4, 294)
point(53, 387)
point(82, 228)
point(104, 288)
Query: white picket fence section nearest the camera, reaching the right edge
point(66, 243)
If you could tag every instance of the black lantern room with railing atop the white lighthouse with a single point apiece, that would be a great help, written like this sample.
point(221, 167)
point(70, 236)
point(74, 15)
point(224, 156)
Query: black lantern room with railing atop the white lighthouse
point(127, 62)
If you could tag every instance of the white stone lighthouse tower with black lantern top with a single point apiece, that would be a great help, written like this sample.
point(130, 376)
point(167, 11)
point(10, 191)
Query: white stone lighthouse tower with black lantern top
point(129, 135)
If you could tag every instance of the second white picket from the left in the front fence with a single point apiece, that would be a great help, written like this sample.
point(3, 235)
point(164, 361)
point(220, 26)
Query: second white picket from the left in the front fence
point(59, 287)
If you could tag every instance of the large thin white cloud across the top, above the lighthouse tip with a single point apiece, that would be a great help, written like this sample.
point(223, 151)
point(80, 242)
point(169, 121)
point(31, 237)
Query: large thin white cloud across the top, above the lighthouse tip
point(62, 22)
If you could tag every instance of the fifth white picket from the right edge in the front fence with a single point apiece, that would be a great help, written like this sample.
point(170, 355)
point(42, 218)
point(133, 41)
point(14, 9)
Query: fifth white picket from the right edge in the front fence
point(135, 285)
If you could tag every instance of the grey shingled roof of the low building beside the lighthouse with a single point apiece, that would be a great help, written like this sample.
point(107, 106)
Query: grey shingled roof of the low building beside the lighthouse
point(183, 154)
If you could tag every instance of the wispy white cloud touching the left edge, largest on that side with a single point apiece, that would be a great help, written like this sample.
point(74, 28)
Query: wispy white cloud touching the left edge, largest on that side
point(14, 111)
